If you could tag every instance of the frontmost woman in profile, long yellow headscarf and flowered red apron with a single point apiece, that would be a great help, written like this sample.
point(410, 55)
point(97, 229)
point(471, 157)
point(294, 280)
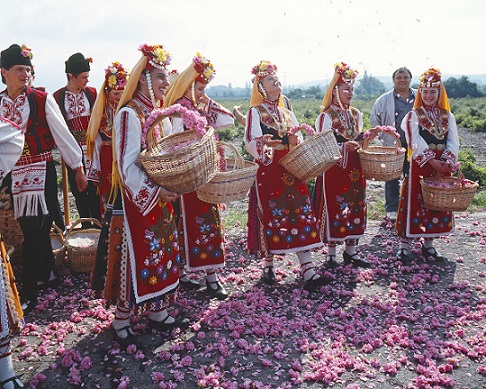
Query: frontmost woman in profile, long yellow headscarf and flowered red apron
point(142, 269)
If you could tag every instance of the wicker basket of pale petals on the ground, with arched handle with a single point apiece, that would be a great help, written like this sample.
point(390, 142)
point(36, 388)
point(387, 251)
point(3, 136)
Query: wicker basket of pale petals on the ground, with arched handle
point(82, 256)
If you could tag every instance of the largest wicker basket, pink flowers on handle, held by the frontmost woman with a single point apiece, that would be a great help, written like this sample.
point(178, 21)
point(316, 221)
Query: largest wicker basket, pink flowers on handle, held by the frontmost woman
point(180, 162)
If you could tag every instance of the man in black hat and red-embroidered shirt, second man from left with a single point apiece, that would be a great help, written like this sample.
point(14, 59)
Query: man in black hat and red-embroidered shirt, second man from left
point(76, 102)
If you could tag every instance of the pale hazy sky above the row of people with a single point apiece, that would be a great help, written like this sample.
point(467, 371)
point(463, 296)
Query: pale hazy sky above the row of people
point(304, 38)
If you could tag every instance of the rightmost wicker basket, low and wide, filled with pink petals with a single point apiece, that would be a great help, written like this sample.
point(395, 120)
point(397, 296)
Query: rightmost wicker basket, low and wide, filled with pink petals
point(455, 194)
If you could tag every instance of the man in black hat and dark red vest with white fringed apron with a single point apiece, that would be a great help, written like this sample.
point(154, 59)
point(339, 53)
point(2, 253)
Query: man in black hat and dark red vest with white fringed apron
point(34, 177)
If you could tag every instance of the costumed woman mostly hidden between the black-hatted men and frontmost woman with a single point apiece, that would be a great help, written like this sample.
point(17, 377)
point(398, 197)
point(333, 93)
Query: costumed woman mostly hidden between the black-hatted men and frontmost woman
point(100, 129)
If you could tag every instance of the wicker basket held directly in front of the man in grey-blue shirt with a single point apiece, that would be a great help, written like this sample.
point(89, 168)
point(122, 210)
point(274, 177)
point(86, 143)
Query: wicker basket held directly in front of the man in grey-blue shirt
point(382, 163)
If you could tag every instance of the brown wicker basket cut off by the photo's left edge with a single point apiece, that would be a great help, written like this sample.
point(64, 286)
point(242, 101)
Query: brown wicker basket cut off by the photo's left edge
point(9, 226)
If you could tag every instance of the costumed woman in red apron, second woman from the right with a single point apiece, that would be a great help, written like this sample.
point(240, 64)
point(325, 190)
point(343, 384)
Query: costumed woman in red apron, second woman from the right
point(340, 194)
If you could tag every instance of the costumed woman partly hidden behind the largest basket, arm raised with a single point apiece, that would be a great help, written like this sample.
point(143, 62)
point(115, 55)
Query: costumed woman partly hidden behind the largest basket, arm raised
point(201, 233)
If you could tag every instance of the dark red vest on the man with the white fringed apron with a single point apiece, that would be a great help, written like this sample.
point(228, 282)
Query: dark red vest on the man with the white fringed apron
point(38, 137)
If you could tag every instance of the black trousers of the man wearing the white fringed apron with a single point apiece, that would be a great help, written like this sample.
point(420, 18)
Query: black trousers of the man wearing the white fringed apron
point(37, 257)
